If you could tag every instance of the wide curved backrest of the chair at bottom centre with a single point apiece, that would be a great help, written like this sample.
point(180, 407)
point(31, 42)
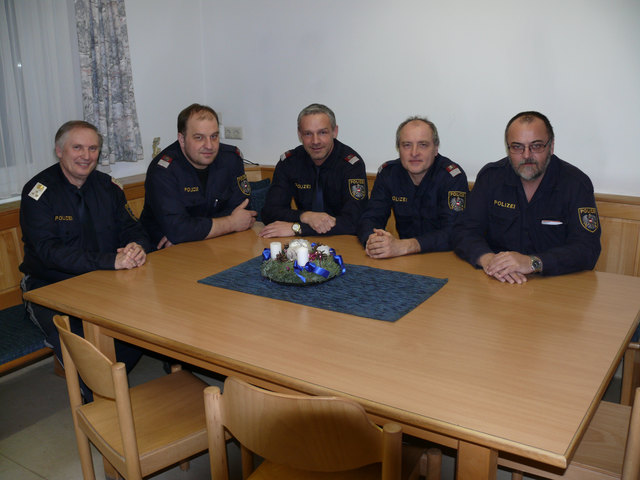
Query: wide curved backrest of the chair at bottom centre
point(322, 434)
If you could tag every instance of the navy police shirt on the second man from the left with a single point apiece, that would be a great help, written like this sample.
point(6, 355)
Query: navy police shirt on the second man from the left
point(178, 206)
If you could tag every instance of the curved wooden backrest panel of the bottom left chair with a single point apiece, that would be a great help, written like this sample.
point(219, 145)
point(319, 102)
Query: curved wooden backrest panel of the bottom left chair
point(94, 368)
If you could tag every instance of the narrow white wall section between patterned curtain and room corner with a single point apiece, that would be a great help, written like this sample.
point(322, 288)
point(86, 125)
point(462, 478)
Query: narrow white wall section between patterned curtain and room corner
point(167, 57)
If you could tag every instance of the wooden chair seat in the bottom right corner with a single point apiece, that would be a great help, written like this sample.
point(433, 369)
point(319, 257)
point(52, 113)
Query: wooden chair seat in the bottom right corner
point(601, 451)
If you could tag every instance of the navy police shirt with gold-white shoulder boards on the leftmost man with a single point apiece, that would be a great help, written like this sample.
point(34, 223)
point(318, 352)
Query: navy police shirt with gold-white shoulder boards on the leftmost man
point(55, 245)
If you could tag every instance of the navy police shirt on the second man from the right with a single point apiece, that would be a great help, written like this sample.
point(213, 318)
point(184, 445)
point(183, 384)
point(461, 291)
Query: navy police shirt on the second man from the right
point(426, 212)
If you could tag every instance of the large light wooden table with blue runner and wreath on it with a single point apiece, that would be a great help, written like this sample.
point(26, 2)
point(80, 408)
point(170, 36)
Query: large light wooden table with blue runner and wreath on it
point(483, 367)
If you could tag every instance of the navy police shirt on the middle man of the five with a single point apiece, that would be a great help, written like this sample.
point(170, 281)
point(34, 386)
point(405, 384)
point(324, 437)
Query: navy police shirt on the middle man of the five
point(344, 188)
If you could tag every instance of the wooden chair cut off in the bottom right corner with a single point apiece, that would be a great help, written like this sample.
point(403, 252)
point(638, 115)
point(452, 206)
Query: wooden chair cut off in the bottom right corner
point(610, 448)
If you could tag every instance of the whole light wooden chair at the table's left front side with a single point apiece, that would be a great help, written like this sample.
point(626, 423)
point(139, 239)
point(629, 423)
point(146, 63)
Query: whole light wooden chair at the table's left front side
point(140, 430)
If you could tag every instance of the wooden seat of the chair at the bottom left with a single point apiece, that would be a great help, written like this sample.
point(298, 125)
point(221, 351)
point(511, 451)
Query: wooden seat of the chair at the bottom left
point(177, 398)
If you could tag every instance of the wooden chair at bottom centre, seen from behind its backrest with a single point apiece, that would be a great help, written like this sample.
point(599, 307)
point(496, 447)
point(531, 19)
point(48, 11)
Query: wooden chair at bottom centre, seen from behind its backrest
point(315, 438)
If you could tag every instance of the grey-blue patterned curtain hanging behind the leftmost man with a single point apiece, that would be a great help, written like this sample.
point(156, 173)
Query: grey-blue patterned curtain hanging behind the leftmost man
point(107, 82)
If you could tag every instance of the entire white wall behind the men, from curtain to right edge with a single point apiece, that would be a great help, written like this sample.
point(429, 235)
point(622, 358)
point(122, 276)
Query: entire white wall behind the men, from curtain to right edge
point(467, 65)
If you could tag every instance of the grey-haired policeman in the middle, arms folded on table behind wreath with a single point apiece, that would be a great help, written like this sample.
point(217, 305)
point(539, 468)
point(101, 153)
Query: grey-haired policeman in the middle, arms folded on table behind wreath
point(325, 178)
